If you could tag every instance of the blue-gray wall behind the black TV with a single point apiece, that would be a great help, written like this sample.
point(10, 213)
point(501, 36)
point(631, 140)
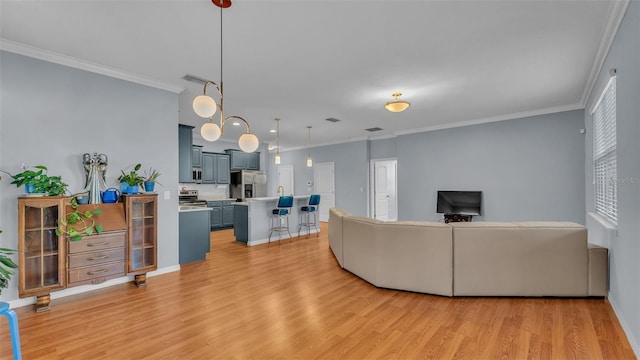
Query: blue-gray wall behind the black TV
point(528, 169)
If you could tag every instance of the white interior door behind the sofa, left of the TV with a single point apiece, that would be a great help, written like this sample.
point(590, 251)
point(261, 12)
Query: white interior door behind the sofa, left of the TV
point(385, 204)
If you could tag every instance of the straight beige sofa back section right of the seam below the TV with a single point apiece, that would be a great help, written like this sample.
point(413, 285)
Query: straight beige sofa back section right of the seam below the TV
point(520, 259)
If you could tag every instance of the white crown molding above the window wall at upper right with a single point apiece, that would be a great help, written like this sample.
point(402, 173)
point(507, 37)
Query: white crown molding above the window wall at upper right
point(608, 35)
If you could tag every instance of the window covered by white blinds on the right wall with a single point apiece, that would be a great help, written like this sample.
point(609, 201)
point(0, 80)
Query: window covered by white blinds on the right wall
point(604, 153)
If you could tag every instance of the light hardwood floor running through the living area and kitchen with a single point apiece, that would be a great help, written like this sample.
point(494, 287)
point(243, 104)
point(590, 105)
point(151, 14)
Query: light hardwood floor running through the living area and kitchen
point(293, 301)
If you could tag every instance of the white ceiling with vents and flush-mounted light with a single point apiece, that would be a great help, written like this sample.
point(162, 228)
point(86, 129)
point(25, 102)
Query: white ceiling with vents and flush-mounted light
point(457, 62)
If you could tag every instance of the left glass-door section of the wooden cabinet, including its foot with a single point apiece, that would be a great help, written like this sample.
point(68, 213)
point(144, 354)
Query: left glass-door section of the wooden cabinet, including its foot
point(42, 260)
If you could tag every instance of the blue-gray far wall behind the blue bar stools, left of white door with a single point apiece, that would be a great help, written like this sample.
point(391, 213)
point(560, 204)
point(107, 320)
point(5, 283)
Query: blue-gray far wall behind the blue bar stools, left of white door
point(350, 167)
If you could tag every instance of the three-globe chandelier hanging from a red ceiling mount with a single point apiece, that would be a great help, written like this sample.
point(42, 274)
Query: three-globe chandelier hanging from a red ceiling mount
point(206, 107)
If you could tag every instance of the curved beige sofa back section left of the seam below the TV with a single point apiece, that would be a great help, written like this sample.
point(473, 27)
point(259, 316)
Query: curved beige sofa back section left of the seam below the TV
point(413, 256)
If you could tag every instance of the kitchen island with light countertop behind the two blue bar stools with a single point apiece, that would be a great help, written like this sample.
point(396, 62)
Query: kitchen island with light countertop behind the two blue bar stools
point(252, 220)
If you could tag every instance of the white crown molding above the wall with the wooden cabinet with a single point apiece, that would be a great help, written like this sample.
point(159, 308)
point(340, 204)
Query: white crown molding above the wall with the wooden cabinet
point(57, 58)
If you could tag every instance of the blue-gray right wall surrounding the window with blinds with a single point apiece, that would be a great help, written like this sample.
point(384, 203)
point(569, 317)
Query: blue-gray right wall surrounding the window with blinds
point(623, 244)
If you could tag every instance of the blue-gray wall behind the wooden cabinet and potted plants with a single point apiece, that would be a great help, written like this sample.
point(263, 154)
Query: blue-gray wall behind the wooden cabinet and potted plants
point(52, 114)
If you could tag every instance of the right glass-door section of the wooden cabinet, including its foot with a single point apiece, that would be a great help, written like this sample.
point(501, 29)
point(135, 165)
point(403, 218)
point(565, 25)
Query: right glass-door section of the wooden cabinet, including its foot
point(142, 217)
